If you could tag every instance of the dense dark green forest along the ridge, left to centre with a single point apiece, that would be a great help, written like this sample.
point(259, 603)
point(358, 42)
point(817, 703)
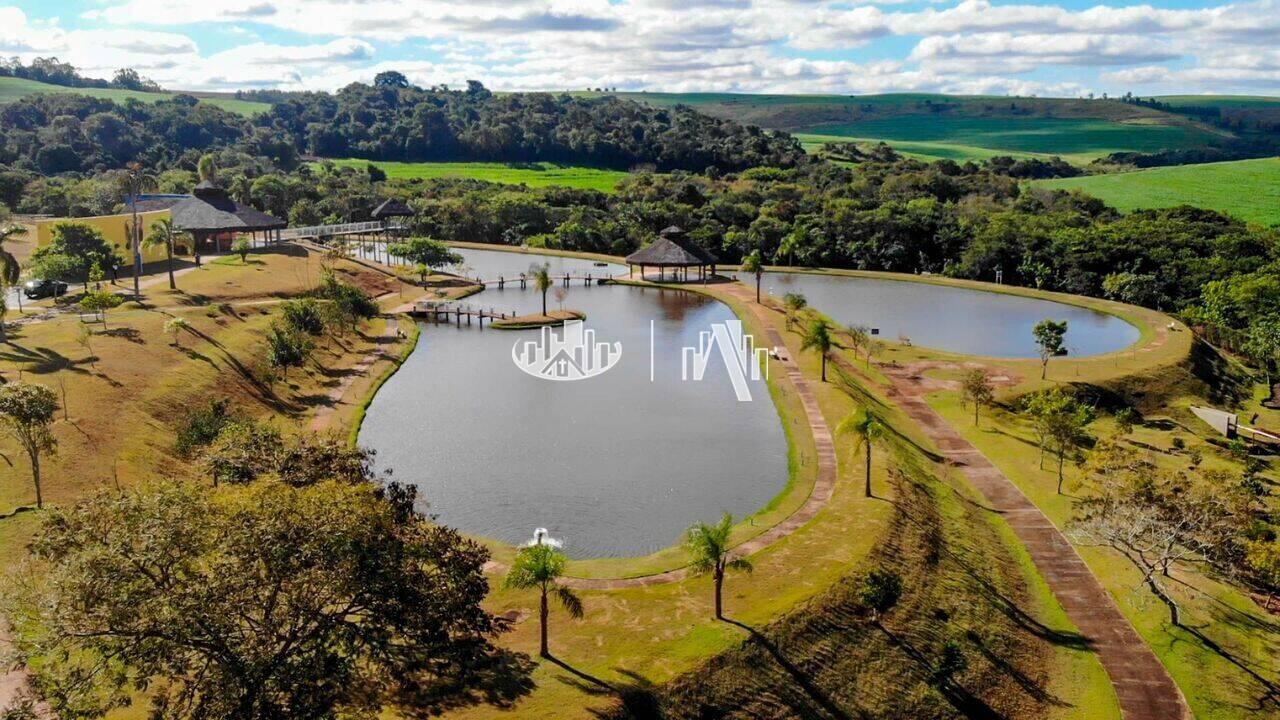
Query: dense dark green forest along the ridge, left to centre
point(387, 121)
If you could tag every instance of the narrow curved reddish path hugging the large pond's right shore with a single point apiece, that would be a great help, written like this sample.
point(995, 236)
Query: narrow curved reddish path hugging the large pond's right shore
point(824, 485)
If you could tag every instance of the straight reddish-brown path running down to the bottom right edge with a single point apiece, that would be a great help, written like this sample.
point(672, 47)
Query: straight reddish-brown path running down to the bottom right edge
point(1142, 685)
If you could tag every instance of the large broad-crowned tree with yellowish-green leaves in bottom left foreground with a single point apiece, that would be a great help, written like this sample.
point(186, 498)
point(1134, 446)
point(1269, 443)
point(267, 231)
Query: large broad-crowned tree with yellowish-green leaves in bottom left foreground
point(254, 603)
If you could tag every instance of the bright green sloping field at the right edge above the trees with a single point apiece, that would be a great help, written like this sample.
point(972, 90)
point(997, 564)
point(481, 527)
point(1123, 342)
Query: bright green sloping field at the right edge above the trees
point(1246, 189)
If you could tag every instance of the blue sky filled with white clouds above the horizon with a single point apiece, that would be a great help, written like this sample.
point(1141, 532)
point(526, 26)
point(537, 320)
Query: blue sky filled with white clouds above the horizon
point(1066, 48)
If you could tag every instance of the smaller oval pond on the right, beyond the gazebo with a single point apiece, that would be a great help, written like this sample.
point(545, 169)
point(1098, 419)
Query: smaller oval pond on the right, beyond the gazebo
point(952, 318)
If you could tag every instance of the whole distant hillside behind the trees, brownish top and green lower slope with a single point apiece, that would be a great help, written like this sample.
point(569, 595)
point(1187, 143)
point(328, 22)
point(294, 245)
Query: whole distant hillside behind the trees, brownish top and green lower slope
point(959, 127)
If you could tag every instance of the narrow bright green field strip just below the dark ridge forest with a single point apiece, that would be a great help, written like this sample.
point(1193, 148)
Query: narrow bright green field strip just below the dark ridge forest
point(534, 175)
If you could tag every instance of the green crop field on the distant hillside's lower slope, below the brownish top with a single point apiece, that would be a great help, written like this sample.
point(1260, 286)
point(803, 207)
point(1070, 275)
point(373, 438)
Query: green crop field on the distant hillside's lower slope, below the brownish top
point(1081, 140)
